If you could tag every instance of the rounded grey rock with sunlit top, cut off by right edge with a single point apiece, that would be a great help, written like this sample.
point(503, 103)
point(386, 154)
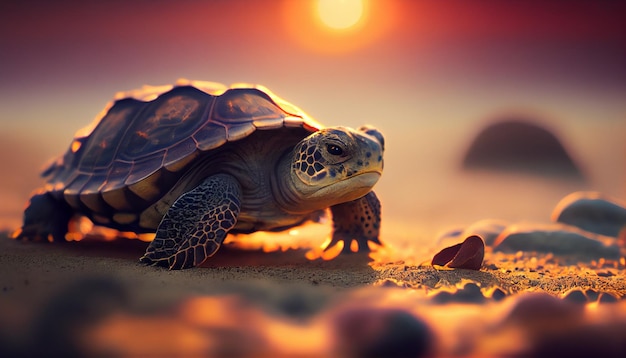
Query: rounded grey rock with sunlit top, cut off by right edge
point(592, 212)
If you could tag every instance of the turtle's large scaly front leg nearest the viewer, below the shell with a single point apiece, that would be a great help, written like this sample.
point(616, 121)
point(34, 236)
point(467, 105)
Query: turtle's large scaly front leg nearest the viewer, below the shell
point(196, 224)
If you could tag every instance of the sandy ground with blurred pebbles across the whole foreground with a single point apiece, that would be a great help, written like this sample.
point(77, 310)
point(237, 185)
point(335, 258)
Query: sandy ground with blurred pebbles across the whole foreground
point(45, 285)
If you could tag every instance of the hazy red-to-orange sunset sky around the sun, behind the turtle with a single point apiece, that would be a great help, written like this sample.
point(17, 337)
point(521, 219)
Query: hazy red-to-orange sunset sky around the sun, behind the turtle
point(428, 73)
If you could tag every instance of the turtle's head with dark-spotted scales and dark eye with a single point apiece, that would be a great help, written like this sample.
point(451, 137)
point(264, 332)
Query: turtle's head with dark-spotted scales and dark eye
point(336, 165)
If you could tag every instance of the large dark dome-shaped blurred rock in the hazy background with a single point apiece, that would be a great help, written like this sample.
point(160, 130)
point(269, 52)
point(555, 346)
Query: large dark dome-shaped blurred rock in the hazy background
point(519, 145)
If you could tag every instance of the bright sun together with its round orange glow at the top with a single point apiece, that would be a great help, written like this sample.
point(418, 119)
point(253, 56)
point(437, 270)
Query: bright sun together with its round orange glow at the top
point(333, 28)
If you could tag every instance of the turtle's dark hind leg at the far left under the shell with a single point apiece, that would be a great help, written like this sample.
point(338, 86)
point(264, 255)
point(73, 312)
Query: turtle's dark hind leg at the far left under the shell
point(45, 219)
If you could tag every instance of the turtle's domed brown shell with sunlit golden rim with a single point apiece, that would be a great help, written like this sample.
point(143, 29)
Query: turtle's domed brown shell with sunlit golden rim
point(146, 136)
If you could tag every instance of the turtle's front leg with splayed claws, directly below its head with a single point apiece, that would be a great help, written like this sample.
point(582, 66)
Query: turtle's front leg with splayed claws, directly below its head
point(357, 220)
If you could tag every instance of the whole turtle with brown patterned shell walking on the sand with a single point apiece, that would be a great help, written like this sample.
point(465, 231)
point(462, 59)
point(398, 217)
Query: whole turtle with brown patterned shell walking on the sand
point(197, 160)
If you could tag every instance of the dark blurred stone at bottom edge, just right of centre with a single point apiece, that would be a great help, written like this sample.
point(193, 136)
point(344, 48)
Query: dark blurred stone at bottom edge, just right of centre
point(381, 332)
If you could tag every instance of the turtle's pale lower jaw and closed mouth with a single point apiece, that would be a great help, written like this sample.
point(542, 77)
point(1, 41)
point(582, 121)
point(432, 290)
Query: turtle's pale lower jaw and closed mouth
point(350, 188)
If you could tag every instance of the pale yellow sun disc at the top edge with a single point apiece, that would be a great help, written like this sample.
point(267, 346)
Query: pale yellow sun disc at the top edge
point(340, 14)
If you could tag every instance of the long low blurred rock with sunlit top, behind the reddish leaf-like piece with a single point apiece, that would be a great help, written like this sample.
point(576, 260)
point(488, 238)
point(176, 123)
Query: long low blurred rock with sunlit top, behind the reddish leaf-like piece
point(557, 239)
